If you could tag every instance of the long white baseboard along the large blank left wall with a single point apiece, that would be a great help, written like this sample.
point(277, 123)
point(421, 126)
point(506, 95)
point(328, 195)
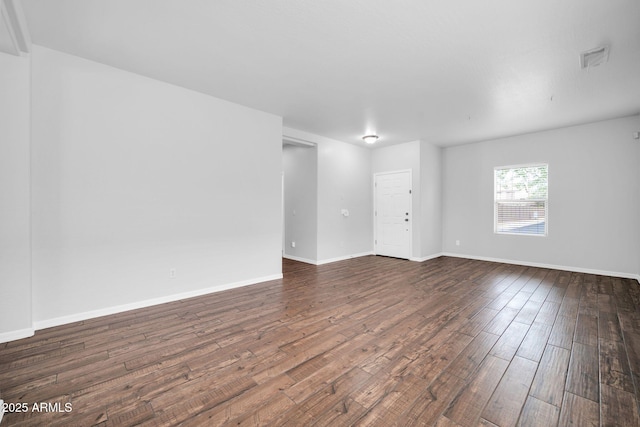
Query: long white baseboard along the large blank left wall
point(63, 320)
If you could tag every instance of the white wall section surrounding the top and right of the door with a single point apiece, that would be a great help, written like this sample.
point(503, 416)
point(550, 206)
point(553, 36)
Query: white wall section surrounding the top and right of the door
point(404, 157)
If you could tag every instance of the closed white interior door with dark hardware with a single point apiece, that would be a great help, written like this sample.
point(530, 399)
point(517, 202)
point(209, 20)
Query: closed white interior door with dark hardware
point(392, 212)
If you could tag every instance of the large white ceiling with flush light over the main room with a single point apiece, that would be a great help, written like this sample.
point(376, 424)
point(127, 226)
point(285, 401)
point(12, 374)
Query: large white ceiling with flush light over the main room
point(448, 72)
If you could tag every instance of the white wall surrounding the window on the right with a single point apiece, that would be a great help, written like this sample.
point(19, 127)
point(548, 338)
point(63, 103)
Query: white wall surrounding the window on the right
point(593, 198)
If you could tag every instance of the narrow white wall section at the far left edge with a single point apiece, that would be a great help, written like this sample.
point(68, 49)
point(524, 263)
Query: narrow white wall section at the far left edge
point(15, 252)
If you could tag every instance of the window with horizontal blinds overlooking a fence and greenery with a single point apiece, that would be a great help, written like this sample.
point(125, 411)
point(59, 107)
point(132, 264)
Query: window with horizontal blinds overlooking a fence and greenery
point(521, 199)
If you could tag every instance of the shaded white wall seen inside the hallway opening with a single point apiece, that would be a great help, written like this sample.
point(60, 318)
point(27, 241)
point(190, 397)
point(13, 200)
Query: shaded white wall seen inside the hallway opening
point(300, 165)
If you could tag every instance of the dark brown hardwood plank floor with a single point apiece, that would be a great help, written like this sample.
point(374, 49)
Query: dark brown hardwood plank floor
point(369, 341)
